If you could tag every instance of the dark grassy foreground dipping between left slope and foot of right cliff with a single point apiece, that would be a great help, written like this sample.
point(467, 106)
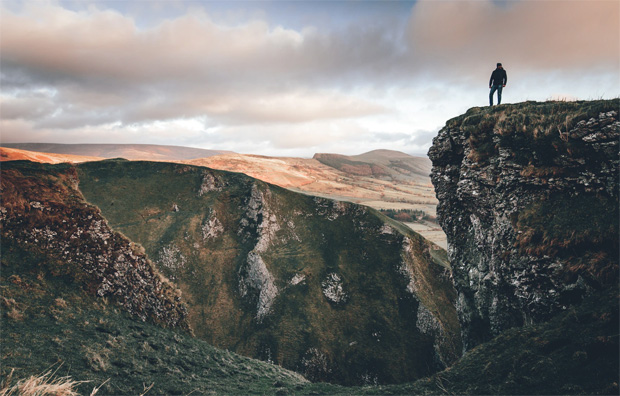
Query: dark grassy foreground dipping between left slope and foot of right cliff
point(48, 323)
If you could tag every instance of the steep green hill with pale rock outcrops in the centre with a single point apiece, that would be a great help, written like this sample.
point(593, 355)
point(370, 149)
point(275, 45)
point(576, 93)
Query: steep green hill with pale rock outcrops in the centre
point(330, 289)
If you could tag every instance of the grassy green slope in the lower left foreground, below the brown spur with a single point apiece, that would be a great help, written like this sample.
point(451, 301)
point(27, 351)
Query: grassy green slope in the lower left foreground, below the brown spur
point(48, 323)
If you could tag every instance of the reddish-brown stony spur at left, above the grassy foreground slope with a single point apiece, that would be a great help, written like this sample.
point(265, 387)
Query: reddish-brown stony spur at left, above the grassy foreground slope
point(44, 213)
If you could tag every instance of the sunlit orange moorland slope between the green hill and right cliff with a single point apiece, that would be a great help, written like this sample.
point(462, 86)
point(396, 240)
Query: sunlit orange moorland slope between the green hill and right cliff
point(413, 192)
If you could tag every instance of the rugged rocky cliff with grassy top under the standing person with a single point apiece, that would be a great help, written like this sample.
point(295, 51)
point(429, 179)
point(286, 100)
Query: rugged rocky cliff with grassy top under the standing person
point(528, 198)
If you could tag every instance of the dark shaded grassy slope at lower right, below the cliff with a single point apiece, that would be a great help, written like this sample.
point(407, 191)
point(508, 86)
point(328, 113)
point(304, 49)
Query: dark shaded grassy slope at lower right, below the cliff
point(575, 353)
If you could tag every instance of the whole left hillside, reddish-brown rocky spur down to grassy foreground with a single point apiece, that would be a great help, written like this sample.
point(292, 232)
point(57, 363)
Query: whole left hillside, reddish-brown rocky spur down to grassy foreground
point(81, 300)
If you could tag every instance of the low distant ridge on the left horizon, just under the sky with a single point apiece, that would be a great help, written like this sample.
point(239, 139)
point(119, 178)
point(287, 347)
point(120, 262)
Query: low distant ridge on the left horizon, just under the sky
point(128, 151)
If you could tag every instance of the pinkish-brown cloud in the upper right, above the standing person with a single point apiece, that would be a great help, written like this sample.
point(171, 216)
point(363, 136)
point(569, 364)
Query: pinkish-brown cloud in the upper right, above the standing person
point(537, 36)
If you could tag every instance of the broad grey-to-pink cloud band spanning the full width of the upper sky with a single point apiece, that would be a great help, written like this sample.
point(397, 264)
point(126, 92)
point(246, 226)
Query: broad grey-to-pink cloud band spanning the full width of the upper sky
point(103, 49)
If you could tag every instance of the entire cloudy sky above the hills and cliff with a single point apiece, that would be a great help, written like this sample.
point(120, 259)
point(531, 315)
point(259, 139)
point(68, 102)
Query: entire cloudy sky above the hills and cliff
point(289, 78)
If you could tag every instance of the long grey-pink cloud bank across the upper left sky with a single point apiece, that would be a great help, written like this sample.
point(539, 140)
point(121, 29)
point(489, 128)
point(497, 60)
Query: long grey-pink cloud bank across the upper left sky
point(106, 45)
